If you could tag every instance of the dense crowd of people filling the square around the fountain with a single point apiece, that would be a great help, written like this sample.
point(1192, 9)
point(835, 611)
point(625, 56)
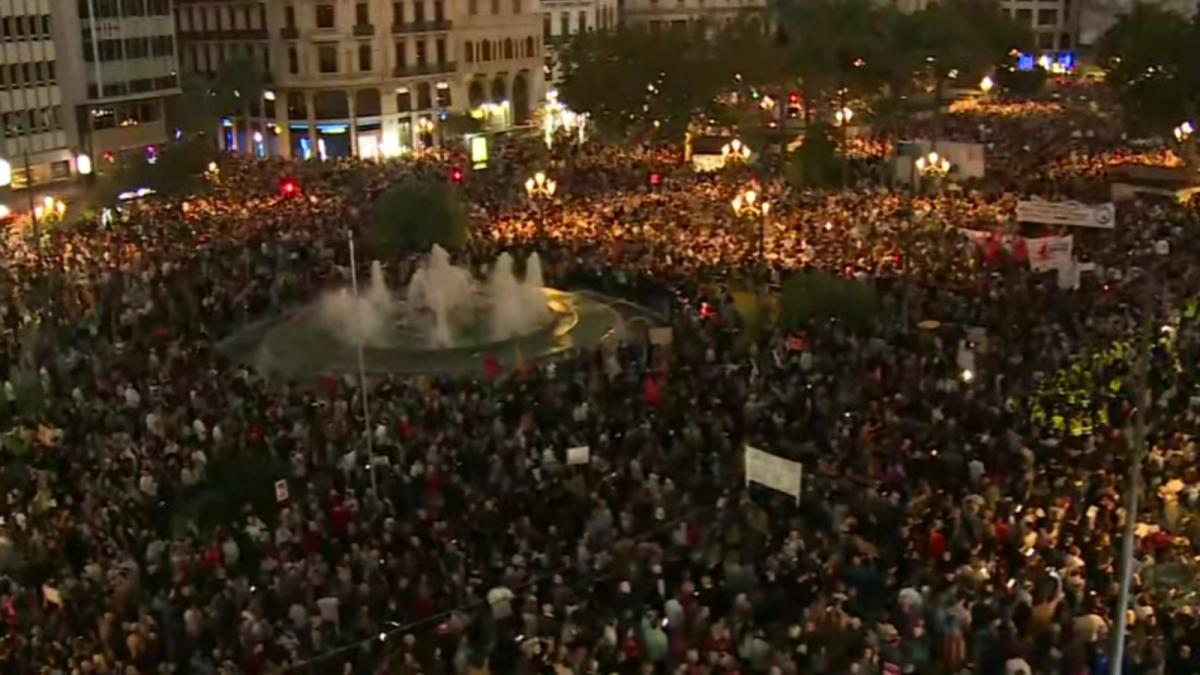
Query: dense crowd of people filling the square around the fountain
point(944, 527)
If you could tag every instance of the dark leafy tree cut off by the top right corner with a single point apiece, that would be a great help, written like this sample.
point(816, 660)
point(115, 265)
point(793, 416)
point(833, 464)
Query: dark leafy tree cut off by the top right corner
point(1154, 68)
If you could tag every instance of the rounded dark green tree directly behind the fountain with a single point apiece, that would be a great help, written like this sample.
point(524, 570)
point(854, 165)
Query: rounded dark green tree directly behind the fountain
point(417, 216)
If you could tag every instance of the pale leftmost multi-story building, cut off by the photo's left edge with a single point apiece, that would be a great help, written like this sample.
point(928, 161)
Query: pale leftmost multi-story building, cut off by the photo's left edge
point(37, 134)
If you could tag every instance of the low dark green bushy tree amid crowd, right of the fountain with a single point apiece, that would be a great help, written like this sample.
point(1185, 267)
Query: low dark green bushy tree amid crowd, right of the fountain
point(813, 296)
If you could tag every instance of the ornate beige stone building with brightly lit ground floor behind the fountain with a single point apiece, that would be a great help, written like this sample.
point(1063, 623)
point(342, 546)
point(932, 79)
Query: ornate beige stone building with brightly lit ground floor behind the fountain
point(371, 77)
